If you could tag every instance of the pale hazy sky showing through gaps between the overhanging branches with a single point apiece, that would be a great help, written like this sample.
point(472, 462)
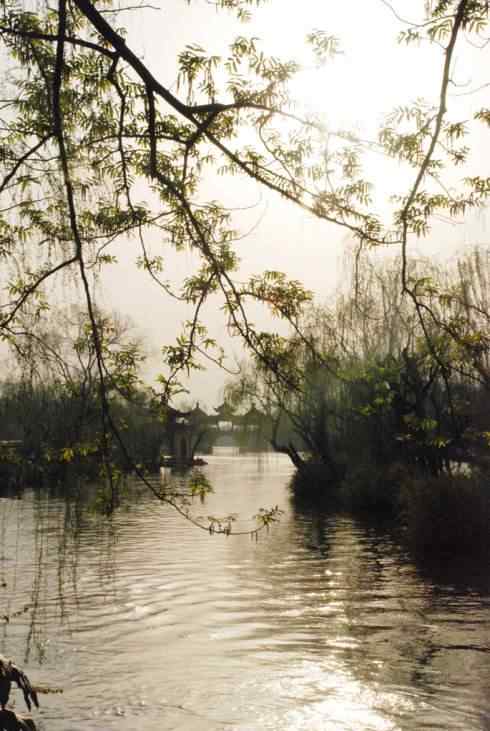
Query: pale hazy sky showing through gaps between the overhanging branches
point(371, 76)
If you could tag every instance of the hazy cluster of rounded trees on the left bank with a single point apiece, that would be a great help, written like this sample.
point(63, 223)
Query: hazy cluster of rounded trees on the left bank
point(50, 399)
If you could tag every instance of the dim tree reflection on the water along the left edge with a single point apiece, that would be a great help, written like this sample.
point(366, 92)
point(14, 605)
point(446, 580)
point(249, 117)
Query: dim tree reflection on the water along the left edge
point(42, 547)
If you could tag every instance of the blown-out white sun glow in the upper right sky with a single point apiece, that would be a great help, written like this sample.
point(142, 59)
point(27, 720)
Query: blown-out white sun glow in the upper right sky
point(371, 74)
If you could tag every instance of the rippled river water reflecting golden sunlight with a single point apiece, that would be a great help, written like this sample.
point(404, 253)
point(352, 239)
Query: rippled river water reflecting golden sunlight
point(323, 624)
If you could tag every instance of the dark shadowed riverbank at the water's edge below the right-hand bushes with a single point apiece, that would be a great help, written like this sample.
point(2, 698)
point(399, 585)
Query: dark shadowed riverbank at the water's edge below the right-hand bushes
point(447, 515)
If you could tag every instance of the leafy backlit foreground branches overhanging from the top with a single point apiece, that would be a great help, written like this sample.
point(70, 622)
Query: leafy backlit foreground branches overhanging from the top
point(86, 126)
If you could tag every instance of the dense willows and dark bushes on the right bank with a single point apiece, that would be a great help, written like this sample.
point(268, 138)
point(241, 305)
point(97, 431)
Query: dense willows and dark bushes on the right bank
point(381, 416)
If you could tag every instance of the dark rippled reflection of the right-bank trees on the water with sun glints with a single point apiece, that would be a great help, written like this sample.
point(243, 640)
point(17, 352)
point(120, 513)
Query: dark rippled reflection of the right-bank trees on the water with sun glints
point(361, 605)
